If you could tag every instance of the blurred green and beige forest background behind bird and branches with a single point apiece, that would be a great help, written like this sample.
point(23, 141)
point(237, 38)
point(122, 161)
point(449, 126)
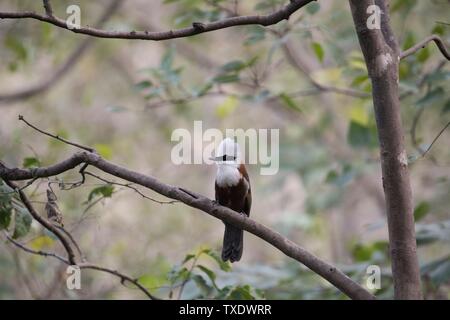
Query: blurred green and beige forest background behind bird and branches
point(125, 97)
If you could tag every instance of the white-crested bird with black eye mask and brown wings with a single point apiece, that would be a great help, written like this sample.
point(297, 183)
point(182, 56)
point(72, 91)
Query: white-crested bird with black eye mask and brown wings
point(232, 190)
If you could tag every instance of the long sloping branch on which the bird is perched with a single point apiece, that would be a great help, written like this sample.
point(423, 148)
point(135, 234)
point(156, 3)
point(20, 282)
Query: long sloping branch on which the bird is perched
point(195, 200)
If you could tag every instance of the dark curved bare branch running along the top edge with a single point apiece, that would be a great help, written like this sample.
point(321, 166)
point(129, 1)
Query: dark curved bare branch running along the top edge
point(265, 20)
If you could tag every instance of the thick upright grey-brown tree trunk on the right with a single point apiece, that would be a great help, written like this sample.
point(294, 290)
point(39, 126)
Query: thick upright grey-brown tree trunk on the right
point(381, 54)
